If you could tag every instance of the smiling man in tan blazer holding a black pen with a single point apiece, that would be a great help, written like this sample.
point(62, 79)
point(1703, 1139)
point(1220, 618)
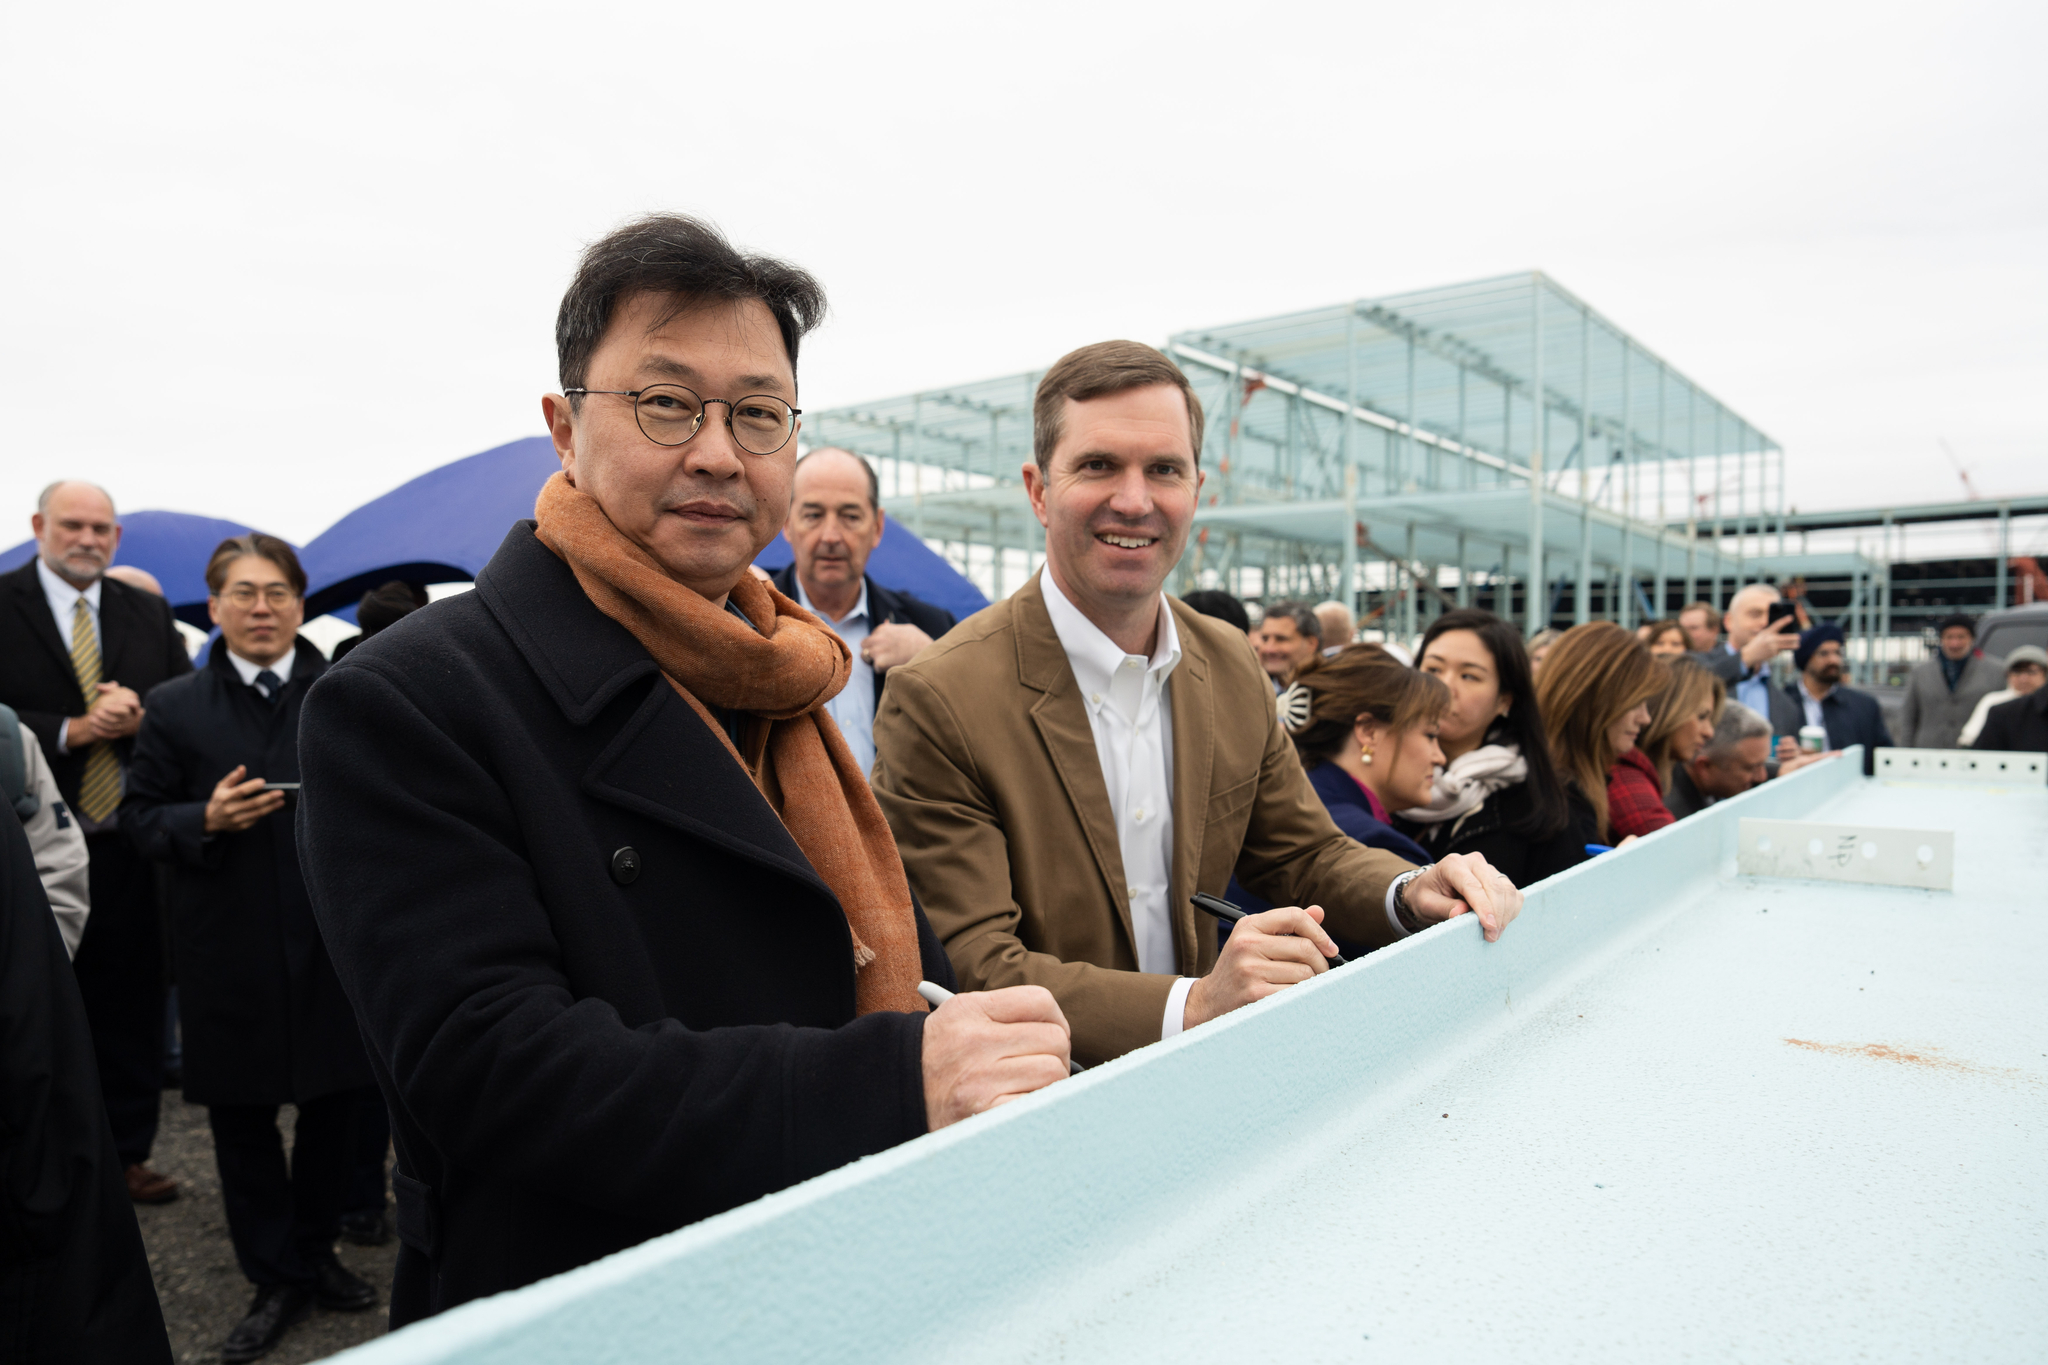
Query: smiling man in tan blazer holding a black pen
point(1066, 768)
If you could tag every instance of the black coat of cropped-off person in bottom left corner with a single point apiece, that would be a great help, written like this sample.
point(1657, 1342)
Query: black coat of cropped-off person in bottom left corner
point(75, 1282)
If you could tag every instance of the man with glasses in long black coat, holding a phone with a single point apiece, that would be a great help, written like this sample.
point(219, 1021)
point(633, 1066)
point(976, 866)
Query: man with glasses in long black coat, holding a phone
point(265, 1020)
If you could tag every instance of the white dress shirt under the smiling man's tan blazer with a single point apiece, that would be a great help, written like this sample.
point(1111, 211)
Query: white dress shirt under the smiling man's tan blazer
point(1132, 717)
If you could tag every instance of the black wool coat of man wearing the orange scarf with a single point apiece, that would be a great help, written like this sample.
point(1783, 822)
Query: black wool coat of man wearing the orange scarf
point(603, 989)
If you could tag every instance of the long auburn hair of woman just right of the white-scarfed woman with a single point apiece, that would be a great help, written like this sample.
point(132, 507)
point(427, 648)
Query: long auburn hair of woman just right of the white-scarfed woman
point(1592, 678)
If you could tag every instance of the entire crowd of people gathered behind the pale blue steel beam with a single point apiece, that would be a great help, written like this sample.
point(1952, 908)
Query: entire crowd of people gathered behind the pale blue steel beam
point(611, 895)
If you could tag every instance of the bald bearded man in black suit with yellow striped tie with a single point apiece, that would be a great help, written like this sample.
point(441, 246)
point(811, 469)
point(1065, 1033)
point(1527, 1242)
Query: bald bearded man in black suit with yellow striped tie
point(79, 652)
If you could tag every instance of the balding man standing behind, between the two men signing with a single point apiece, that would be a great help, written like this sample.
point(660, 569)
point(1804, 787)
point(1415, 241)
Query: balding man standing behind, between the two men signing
point(835, 525)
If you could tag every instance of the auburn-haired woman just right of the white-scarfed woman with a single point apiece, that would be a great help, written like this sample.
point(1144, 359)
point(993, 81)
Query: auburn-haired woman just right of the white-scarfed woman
point(1596, 693)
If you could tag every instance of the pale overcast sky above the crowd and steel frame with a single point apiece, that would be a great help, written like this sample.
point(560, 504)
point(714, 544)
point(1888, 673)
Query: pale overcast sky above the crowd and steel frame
point(267, 263)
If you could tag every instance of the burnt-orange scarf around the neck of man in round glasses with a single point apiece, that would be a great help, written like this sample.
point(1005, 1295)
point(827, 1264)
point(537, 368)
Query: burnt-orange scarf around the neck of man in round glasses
point(781, 676)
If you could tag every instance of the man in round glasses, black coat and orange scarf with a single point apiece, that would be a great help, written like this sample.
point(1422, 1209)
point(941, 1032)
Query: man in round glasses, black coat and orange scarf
point(617, 912)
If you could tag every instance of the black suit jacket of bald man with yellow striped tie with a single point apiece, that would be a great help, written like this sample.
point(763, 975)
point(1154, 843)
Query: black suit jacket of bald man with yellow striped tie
point(140, 648)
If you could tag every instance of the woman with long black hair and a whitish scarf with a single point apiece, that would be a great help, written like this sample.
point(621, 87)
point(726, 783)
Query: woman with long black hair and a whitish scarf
point(1498, 793)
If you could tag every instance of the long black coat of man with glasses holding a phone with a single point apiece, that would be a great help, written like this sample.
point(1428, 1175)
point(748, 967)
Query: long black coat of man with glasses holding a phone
point(265, 1018)
